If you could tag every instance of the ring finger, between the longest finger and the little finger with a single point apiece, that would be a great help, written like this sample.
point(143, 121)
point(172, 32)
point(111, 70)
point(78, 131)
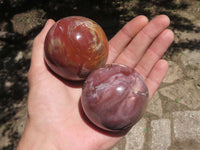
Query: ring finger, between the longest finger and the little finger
point(155, 52)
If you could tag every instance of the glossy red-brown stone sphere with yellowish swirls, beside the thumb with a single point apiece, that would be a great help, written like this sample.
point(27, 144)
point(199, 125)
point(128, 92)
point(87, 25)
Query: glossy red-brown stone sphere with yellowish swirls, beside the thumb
point(74, 47)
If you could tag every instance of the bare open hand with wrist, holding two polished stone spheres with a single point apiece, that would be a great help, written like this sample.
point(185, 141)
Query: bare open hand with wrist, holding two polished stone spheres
point(54, 121)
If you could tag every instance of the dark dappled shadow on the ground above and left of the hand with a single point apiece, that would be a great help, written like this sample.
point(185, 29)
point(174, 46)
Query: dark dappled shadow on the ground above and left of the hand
point(111, 15)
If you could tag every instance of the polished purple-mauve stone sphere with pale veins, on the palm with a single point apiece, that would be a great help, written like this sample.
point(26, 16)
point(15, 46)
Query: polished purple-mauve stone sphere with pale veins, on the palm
point(114, 97)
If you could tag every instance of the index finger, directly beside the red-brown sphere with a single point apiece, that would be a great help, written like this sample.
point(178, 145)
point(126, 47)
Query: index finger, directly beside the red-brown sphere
point(124, 36)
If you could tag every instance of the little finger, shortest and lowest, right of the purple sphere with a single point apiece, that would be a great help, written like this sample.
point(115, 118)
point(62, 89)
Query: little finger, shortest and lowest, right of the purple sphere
point(156, 76)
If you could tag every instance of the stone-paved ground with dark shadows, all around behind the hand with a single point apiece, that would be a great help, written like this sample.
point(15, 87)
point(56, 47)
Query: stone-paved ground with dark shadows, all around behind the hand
point(172, 120)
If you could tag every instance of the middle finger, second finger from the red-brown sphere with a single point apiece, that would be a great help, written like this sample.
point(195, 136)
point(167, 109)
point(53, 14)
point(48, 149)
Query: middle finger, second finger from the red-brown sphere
point(137, 47)
